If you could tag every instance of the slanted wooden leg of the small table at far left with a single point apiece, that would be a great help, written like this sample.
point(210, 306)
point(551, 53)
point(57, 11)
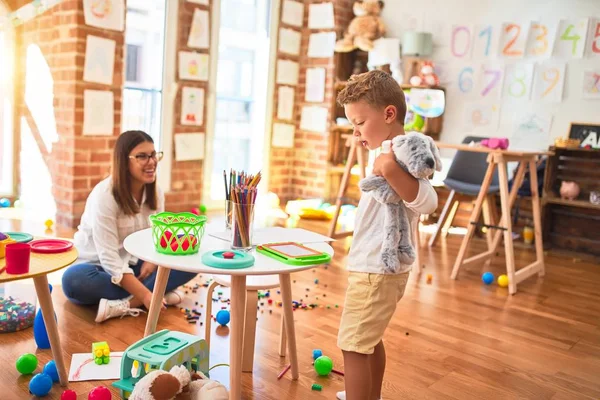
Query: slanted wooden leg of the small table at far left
point(43, 293)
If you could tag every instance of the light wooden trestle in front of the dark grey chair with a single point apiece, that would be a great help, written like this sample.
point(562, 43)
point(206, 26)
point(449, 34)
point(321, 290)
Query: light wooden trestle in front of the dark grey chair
point(500, 159)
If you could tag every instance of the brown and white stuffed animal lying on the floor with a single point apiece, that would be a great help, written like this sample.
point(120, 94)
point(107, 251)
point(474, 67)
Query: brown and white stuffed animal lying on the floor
point(178, 384)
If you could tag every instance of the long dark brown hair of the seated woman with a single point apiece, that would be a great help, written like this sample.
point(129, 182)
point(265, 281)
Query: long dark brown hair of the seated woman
point(121, 176)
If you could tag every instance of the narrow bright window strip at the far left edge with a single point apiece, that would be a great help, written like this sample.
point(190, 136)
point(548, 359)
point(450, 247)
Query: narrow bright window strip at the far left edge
point(7, 187)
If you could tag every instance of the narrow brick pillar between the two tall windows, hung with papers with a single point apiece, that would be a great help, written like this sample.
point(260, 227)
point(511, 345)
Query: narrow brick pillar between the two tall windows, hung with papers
point(186, 176)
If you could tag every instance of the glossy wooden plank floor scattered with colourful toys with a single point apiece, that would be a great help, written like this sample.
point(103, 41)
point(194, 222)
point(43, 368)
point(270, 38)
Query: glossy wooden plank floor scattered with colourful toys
point(448, 339)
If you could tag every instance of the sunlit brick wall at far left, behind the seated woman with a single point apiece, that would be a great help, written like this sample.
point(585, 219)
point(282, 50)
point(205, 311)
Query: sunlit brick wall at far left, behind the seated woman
point(77, 163)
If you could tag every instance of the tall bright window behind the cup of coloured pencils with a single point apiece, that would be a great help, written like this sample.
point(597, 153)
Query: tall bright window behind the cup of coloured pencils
point(240, 108)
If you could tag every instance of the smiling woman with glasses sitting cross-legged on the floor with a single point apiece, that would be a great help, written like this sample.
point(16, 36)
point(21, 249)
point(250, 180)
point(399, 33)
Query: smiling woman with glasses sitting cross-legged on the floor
point(118, 206)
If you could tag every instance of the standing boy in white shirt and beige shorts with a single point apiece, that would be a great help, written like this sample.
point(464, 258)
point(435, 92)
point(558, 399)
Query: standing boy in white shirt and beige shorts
point(374, 103)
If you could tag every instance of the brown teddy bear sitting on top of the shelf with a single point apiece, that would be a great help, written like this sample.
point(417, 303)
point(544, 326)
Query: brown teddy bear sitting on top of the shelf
point(365, 28)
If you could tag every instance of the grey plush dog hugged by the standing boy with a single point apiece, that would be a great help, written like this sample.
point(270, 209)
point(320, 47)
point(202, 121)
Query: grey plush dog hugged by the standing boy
point(417, 154)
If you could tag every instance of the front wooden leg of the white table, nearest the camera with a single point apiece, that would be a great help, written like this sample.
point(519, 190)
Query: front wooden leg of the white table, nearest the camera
point(238, 300)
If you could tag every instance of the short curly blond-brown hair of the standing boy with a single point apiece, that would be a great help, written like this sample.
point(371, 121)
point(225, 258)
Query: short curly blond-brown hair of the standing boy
point(378, 89)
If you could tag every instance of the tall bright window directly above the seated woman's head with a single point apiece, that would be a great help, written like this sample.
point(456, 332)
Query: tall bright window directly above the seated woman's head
point(144, 67)
